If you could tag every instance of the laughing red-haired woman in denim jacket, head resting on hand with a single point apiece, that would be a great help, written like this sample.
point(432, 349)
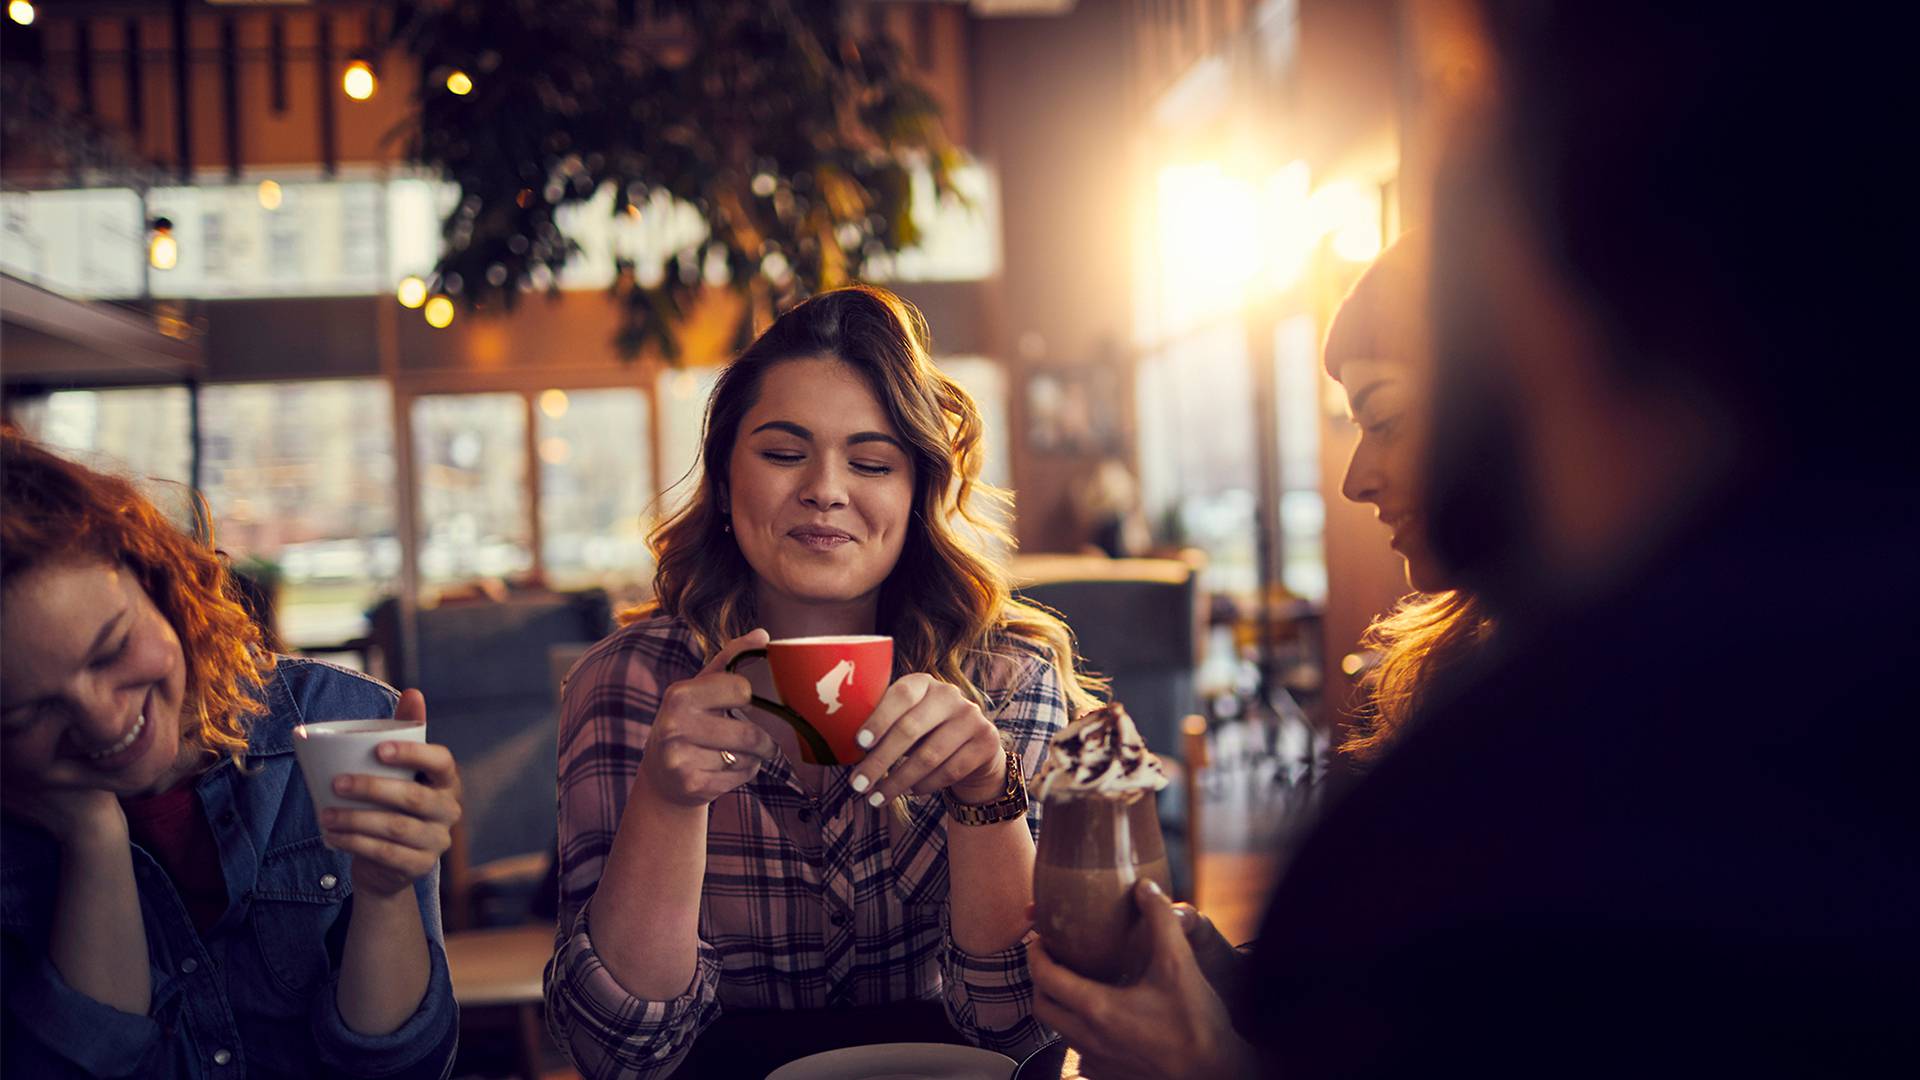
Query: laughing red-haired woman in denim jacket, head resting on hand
point(172, 902)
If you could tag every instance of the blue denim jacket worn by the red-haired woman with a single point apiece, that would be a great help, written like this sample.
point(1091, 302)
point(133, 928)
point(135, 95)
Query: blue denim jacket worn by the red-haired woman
point(256, 996)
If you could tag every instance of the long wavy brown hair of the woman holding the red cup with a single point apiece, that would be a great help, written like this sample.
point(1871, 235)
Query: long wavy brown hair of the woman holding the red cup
point(946, 604)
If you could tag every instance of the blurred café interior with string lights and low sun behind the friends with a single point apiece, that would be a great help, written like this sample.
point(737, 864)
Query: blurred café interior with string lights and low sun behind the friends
point(287, 264)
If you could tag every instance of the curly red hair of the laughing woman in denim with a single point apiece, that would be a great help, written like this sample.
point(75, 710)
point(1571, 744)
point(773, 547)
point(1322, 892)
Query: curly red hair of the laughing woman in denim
point(57, 510)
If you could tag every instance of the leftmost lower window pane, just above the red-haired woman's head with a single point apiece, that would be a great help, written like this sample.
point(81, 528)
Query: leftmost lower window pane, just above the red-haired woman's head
point(139, 431)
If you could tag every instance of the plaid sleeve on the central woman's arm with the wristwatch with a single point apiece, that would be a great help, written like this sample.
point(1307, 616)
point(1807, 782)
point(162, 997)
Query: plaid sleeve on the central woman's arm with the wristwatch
point(990, 996)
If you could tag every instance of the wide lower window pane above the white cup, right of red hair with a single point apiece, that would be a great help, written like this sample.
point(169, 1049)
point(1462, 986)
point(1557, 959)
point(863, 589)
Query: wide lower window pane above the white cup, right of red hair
point(300, 476)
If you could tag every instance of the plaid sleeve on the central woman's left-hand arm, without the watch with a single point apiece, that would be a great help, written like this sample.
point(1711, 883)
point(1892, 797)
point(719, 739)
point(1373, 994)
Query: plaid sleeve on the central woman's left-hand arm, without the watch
point(608, 712)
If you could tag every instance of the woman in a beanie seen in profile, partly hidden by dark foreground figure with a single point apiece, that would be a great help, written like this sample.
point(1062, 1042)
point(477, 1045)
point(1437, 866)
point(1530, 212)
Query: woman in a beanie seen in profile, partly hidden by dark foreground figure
point(1378, 353)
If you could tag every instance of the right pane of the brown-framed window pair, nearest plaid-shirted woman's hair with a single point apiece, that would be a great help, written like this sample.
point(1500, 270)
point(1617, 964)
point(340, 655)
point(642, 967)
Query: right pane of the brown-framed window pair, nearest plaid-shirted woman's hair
point(594, 487)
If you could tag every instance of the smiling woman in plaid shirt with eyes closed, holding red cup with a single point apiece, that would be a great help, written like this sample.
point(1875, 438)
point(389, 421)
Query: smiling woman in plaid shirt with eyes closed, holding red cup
point(708, 870)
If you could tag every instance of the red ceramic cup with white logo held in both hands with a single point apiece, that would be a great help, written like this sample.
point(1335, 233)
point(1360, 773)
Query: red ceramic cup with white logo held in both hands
point(830, 689)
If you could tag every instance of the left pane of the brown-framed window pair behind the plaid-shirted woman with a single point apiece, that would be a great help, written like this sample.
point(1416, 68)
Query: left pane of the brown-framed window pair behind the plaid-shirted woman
point(471, 458)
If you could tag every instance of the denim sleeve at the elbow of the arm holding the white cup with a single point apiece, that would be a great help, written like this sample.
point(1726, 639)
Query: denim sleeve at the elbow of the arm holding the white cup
point(418, 1050)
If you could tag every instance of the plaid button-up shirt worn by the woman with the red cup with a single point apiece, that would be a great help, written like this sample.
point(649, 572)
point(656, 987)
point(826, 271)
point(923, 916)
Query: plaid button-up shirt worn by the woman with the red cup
point(809, 902)
